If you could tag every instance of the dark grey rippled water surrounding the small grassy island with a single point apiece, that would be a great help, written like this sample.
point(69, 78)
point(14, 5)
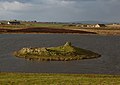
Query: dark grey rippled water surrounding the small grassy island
point(107, 46)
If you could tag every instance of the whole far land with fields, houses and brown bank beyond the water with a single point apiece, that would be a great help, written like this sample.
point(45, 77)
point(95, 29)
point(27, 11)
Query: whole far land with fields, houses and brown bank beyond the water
point(49, 27)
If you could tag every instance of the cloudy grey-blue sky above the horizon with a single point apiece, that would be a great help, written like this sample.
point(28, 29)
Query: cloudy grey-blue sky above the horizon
point(60, 10)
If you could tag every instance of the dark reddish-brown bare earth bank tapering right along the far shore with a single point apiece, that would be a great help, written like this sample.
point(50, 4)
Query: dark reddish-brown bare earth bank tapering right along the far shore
point(43, 30)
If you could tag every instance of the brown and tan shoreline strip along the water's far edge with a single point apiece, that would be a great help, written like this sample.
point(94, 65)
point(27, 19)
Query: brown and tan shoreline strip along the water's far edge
point(46, 30)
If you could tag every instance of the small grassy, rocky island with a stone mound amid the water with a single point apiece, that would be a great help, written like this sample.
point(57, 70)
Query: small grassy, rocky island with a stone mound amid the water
point(66, 52)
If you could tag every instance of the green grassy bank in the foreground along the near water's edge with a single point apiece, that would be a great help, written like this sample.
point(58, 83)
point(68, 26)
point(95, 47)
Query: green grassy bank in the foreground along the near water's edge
point(58, 79)
